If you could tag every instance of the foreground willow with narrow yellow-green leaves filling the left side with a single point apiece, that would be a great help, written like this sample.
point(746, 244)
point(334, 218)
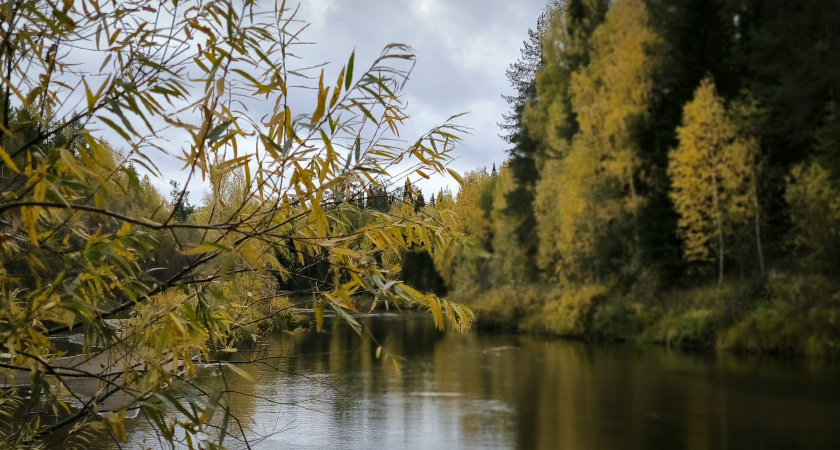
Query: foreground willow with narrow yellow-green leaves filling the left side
point(70, 259)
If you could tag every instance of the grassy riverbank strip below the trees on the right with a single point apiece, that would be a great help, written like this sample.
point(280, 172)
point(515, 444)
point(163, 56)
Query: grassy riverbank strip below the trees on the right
point(782, 314)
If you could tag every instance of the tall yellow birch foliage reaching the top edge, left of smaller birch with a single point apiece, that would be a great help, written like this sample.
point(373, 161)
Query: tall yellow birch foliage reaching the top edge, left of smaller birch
point(588, 199)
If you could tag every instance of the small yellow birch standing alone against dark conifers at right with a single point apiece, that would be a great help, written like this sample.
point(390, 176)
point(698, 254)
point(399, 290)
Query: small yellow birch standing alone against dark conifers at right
point(713, 178)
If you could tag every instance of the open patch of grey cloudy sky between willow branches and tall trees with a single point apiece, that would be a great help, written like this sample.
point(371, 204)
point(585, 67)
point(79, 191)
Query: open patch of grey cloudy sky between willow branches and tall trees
point(463, 49)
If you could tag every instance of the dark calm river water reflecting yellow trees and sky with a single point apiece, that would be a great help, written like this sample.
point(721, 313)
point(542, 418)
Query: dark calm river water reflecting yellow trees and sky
point(488, 391)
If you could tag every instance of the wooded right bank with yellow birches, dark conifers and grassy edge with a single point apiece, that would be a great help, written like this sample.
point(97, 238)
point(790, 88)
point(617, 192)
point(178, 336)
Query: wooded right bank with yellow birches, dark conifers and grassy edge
point(674, 177)
